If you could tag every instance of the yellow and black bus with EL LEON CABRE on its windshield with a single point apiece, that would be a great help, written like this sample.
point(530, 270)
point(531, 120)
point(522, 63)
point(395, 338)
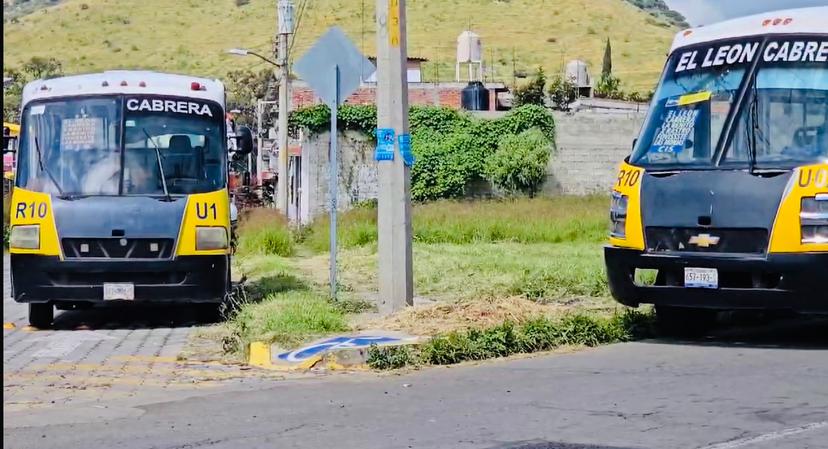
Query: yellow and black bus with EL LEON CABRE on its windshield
point(723, 203)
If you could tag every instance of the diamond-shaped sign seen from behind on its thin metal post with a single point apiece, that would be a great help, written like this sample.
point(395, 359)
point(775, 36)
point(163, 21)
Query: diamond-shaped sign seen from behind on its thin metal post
point(334, 68)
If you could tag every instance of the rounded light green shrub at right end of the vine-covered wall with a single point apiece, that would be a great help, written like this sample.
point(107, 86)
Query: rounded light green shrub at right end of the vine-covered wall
point(519, 164)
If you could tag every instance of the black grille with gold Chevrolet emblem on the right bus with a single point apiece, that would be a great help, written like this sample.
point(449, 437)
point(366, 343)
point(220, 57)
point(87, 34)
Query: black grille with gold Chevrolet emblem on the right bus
point(707, 240)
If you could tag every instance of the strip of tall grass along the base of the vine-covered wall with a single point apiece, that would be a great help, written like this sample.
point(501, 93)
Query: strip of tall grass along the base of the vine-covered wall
point(523, 220)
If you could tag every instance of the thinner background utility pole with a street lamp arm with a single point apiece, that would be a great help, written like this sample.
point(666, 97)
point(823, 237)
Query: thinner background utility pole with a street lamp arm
point(285, 30)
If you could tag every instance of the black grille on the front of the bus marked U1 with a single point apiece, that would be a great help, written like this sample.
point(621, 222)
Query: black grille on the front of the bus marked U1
point(117, 248)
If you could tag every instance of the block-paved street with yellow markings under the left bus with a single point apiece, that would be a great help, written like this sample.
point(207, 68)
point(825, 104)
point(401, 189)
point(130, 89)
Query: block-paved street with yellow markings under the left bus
point(103, 356)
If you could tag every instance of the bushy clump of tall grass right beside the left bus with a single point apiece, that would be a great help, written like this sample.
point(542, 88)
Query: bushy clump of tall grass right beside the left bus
point(265, 231)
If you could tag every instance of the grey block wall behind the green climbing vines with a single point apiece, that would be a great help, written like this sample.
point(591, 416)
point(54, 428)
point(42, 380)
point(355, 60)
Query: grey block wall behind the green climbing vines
point(590, 145)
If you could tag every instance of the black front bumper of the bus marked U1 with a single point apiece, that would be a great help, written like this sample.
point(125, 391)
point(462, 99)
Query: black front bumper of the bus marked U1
point(191, 279)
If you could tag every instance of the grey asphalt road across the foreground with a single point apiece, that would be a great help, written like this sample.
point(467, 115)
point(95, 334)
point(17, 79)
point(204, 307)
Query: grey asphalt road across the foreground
point(760, 389)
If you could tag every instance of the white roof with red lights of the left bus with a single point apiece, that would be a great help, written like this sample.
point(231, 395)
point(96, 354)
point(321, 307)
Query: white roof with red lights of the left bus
point(125, 82)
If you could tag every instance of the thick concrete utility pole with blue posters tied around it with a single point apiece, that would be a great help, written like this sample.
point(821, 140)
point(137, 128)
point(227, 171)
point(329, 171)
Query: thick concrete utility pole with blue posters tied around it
point(396, 287)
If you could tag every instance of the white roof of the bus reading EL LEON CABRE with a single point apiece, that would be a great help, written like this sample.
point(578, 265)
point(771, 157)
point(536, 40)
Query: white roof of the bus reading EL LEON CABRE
point(789, 21)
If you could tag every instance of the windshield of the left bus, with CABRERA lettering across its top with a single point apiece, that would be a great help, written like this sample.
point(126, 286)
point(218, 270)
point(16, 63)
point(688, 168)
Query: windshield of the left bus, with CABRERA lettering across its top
point(112, 146)
